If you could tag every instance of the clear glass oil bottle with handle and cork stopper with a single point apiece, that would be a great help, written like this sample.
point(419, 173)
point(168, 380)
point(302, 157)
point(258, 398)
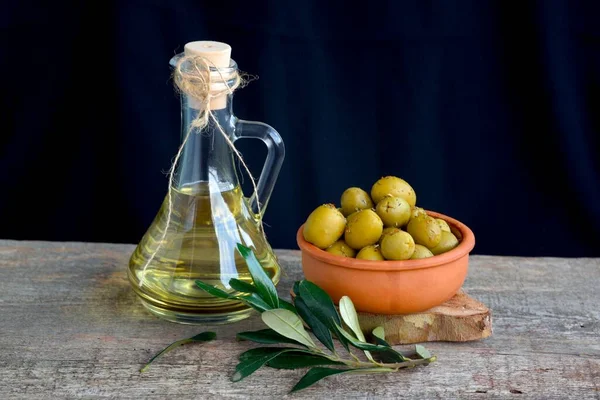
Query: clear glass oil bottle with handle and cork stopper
point(209, 214)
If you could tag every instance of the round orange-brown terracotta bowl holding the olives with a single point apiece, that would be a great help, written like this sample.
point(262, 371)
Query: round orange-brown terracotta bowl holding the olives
point(391, 287)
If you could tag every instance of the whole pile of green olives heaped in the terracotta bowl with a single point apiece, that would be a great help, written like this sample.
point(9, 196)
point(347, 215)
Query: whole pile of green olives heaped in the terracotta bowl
point(383, 225)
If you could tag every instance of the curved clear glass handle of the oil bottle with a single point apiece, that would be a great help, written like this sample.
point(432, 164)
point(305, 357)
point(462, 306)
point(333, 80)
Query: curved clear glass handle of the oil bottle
point(272, 166)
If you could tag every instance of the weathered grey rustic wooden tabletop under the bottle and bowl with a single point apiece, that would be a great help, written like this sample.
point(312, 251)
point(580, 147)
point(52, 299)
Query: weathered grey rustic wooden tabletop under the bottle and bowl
point(71, 327)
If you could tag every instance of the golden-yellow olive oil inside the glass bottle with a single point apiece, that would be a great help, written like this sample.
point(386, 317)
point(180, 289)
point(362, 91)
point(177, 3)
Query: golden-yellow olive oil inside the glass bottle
point(205, 226)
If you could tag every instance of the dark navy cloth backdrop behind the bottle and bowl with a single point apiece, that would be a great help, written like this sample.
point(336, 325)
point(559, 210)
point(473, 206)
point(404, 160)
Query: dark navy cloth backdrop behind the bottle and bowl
point(487, 108)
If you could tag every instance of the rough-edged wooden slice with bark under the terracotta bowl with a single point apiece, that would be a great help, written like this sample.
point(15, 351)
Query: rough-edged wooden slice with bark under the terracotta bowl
point(460, 319)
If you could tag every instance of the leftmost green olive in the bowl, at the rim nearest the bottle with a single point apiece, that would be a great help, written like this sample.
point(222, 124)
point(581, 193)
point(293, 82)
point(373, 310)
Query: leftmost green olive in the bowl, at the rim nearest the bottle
point(324, 226)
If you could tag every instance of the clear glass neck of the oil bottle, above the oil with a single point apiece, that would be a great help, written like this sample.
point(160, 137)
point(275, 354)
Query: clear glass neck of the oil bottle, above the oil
point(206, 159)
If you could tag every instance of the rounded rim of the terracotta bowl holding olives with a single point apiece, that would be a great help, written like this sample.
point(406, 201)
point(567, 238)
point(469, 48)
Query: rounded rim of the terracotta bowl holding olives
point(466, 244)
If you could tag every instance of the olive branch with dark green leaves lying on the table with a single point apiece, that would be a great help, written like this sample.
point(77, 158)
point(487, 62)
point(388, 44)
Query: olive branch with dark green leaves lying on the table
point(287, 324)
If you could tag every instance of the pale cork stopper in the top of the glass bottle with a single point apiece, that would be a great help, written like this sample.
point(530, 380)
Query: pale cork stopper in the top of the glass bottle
point(217, 53)
